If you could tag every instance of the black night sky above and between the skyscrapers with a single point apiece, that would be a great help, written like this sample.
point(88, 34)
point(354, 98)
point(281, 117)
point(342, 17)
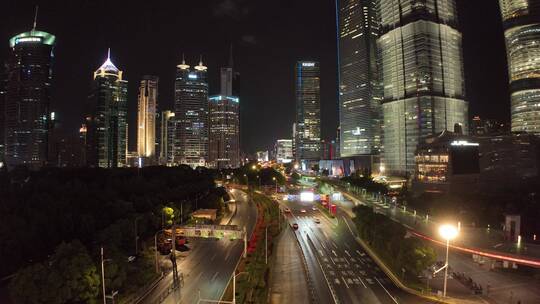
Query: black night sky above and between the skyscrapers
point(149, 37)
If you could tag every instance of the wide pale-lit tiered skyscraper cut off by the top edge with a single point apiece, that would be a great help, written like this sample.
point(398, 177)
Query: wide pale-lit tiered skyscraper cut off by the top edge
point(421, 65)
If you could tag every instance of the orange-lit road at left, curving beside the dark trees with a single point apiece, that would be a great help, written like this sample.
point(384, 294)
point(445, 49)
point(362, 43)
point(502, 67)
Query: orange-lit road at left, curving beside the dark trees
point(210, 263)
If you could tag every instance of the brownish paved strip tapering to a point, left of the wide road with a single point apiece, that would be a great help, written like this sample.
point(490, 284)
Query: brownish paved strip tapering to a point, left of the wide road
point(288, 280)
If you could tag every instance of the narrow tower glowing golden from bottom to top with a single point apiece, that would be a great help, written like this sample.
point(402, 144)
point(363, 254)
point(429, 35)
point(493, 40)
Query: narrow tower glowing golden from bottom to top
point(146, 119)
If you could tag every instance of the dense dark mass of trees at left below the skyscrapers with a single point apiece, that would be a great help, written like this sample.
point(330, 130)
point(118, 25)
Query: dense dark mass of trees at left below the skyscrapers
point(43, 213)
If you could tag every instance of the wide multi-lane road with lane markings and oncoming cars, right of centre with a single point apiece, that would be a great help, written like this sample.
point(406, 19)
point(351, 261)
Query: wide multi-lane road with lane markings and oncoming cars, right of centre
point(341, 270)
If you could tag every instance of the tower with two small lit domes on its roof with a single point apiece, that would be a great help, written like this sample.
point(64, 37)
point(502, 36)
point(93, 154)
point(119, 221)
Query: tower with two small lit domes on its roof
point(191, 115)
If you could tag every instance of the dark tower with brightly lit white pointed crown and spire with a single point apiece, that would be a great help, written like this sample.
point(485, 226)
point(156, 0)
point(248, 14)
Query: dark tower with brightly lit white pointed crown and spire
point(107, 124)
